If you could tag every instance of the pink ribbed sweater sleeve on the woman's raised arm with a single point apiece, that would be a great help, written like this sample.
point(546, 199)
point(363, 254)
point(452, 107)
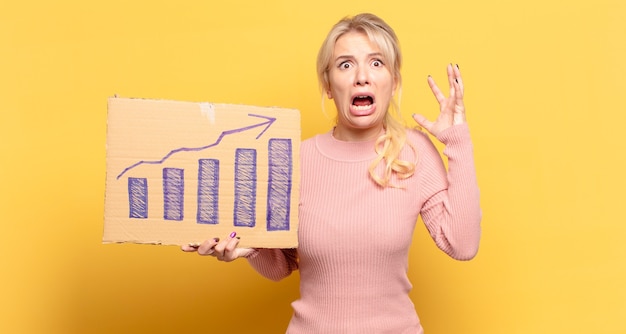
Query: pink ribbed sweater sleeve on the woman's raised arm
point(451, 209)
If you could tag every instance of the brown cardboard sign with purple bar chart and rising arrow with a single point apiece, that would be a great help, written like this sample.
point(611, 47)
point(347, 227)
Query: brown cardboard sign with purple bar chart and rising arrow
point(249, 170)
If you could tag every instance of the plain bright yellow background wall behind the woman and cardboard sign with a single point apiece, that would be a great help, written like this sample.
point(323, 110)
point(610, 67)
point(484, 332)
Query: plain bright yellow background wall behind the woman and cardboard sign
point(544, 86)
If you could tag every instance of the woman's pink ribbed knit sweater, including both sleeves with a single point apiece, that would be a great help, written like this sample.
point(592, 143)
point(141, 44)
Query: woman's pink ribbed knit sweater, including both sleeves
point(354, 236)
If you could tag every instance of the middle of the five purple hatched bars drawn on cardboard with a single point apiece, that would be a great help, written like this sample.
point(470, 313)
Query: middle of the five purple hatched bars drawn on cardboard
point(208, 191)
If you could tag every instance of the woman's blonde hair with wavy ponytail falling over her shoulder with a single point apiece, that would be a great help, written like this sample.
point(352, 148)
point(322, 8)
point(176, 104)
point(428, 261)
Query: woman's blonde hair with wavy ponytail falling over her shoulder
point(389, 145)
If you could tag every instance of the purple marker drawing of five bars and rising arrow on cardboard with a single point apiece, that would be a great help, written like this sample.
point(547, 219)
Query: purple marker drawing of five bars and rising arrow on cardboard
point(280, 169)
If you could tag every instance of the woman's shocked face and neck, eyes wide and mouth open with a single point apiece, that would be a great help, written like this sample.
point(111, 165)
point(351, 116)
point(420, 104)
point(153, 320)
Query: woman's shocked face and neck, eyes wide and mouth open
point(361, 85)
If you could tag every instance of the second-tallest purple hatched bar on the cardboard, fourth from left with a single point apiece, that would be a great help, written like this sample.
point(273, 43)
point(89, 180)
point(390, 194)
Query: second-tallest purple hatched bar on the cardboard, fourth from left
point(245, 187)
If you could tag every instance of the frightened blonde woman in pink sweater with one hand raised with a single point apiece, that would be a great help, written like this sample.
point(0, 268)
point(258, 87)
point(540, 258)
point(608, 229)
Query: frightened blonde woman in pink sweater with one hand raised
point(363, 185)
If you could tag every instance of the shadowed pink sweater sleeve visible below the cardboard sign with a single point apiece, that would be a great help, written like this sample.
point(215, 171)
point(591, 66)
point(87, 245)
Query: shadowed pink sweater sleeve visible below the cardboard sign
point(274, 263)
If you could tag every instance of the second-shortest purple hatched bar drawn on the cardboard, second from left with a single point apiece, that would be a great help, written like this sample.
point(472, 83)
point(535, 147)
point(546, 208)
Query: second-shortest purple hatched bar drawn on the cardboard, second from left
point(173, 191)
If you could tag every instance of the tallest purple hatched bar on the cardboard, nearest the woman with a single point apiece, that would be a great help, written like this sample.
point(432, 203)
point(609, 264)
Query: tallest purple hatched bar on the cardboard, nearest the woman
point(279, 184)
